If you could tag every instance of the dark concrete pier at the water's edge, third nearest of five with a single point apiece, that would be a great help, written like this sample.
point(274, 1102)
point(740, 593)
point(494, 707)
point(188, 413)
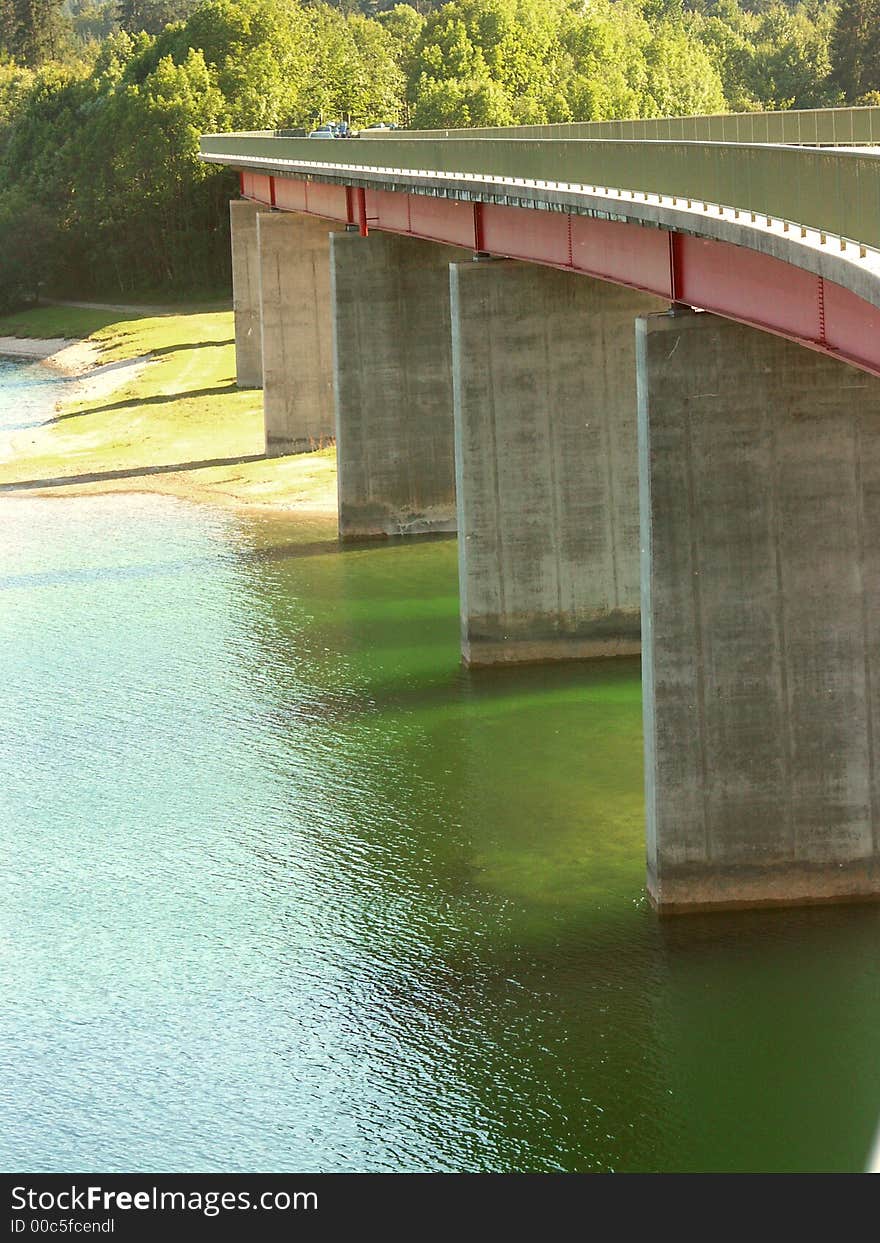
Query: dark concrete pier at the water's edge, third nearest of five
point(393, 376)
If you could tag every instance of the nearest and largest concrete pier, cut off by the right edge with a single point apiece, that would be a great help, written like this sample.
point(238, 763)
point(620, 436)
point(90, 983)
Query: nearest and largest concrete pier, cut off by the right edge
point(760, 470)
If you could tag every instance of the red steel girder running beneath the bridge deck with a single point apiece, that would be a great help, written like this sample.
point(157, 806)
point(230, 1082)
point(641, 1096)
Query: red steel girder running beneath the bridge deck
point(729, 280)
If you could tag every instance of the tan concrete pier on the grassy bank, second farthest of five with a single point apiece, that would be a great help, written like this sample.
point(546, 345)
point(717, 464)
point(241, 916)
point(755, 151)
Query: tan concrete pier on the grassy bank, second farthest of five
point(298, 370)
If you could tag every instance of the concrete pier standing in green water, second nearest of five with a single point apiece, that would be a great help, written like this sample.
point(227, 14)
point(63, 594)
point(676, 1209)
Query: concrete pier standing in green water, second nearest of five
point(546, 463)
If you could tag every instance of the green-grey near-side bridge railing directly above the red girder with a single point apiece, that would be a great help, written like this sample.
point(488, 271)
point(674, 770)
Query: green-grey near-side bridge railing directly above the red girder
point(832, 191)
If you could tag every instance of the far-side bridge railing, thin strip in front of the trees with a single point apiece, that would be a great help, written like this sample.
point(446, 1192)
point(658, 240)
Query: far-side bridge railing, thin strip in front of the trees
point(818, 127)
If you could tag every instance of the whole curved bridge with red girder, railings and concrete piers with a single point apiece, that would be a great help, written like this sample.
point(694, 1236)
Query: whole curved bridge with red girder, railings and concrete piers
point(637, 366)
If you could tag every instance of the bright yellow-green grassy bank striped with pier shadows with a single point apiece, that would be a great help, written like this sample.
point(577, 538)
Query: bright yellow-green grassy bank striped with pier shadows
point(180, 426)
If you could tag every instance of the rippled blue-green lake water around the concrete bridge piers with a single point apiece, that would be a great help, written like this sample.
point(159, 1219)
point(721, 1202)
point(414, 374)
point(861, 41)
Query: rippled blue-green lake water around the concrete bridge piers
point(288, 889)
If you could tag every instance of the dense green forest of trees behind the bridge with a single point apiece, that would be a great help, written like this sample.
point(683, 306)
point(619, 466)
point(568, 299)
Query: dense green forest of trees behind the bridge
point(103, 103)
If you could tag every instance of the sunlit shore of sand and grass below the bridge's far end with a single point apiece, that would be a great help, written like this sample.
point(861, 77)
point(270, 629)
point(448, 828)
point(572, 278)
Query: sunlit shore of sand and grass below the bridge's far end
point(176, 423)
